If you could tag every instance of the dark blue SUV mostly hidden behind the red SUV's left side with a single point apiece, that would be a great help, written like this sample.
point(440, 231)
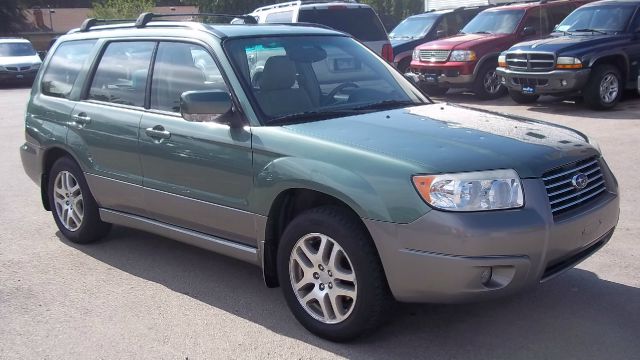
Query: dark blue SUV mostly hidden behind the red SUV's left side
point(422, 28)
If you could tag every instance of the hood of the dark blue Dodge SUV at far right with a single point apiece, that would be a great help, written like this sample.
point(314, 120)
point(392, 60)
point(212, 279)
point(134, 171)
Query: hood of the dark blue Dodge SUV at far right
point(565, 43)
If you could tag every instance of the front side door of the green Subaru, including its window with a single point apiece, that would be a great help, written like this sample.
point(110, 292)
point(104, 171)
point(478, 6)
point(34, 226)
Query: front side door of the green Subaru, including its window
point(197, 175)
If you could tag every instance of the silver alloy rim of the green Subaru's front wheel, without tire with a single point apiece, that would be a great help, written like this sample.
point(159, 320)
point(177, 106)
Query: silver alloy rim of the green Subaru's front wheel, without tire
point(323, 278)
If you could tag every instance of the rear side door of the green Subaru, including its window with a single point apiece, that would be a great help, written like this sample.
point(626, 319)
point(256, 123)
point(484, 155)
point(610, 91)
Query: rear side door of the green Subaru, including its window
point(105, 124)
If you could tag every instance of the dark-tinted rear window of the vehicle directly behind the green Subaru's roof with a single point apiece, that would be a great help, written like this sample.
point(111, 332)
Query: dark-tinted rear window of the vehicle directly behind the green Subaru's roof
point(361, 23)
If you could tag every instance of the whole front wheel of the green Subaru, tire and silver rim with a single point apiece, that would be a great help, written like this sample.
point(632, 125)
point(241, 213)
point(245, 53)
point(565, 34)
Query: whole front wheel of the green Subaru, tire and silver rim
point(331, 275)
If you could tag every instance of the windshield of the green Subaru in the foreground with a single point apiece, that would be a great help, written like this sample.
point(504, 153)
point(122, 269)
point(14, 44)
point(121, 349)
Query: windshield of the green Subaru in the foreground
point(307, 78)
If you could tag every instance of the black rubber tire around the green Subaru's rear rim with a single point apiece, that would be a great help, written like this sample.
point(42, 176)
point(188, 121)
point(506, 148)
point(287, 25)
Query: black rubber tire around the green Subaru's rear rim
point(91, 227)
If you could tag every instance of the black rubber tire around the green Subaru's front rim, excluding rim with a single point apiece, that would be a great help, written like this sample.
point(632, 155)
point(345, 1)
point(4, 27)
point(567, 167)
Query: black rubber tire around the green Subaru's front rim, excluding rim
point(373, 295)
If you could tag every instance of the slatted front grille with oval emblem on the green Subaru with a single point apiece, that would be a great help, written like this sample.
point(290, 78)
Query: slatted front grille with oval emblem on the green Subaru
point(563, 193)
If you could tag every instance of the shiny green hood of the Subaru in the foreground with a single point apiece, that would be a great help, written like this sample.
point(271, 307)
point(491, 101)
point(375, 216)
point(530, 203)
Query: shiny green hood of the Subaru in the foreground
point(441, 138)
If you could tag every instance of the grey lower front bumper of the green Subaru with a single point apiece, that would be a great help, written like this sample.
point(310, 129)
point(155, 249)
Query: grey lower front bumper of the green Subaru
point(444, 257)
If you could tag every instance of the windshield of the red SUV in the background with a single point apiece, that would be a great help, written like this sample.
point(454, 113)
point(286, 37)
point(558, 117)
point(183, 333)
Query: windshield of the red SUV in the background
point(494, 22)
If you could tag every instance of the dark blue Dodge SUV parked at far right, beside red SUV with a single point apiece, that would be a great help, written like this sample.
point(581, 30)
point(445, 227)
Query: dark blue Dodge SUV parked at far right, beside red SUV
point(594, 52)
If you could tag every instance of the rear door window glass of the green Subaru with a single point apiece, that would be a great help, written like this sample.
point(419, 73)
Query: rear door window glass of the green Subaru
point(121, 75)
